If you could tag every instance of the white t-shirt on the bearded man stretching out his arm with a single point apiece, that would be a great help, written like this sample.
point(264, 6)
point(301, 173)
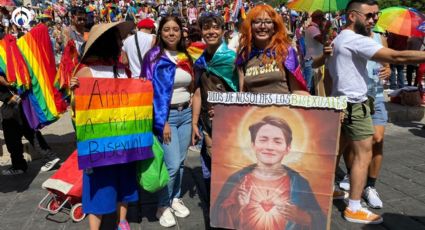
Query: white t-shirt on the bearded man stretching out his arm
point(347, 65)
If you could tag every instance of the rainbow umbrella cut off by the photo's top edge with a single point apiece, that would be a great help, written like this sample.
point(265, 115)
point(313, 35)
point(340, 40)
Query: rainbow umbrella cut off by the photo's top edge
point(313, 5)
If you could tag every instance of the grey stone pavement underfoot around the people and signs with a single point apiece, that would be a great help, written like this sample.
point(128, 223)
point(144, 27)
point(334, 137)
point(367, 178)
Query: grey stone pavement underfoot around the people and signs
point(401, 186)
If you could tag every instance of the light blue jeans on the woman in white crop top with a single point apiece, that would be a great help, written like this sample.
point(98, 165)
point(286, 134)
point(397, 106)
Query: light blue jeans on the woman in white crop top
point(175, 153)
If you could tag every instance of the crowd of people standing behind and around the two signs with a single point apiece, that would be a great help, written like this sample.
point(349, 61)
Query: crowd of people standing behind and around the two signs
point(188, 48)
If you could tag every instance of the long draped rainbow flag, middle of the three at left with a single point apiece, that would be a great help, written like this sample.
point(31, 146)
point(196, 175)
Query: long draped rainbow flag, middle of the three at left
point(45, 103)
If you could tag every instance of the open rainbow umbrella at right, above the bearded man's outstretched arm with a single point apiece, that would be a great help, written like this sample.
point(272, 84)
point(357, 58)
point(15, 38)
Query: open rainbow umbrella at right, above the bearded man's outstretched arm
point(401, 20)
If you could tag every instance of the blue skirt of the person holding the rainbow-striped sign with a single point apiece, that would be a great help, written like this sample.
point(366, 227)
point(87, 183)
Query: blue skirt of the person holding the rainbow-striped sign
point(104, 187)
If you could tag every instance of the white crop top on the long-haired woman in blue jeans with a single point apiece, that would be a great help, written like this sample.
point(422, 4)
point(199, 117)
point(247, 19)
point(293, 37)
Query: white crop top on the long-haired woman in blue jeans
point(182, 80)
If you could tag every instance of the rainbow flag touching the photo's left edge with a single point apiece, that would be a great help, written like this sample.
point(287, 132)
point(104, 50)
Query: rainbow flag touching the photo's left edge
point(13, 64)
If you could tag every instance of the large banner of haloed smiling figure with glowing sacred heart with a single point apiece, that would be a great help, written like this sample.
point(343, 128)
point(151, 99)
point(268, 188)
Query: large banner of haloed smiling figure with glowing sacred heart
point(273, 166)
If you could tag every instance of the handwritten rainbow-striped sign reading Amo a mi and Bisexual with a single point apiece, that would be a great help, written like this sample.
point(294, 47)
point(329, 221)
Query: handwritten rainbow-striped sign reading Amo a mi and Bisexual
point(113, 121)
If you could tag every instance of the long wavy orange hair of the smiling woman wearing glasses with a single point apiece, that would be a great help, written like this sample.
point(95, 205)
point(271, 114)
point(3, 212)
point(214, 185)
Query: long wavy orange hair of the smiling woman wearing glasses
point(279, 43)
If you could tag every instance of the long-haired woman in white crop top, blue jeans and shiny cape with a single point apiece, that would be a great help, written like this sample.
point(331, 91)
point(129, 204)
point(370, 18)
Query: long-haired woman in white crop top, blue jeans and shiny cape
point(169, 68)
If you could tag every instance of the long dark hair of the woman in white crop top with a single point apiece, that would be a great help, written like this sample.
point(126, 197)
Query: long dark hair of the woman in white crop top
point(181, 47)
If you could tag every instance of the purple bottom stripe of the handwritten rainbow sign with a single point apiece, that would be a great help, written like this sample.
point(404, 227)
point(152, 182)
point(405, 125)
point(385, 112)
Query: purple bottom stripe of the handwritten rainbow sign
point(119, 157)
